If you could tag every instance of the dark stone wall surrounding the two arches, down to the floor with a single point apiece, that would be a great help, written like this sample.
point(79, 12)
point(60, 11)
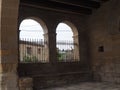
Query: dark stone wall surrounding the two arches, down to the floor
point(57, 73)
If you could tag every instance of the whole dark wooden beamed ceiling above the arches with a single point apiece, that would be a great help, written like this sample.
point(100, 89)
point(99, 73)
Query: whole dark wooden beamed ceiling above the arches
point(70, 6)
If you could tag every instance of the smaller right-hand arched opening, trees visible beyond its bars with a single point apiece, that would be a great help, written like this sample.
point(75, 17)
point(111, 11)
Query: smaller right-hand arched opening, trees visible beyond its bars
point(67, 42)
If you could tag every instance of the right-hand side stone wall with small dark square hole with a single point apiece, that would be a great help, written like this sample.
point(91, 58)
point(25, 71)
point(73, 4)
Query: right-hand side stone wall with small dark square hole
point(104, 35)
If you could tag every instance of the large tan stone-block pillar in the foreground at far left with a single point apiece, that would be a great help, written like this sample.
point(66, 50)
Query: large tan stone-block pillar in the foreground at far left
point(8, 44)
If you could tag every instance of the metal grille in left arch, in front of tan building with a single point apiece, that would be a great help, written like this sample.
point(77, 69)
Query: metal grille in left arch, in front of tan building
point(32, 51)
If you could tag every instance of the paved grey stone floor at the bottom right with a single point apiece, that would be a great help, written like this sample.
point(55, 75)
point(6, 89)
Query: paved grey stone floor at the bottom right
point(88, 86)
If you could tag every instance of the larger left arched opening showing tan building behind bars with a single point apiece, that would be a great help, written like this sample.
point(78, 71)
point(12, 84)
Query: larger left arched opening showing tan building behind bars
point(32, 42)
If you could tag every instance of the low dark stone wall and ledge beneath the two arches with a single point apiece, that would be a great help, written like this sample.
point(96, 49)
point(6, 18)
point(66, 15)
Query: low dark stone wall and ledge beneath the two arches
point(48, 75)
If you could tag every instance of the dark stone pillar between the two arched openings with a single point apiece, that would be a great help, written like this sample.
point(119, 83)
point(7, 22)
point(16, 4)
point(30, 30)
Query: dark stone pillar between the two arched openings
point(51, 44)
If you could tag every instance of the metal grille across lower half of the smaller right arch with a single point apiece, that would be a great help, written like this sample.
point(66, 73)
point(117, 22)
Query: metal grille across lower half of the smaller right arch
point(66, 51)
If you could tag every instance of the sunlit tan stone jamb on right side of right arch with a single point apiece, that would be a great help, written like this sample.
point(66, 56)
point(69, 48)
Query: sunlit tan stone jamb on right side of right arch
point(76, 47)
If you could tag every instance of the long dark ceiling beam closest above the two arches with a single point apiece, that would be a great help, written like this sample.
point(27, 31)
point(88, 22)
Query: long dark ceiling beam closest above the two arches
point(46, 4)
